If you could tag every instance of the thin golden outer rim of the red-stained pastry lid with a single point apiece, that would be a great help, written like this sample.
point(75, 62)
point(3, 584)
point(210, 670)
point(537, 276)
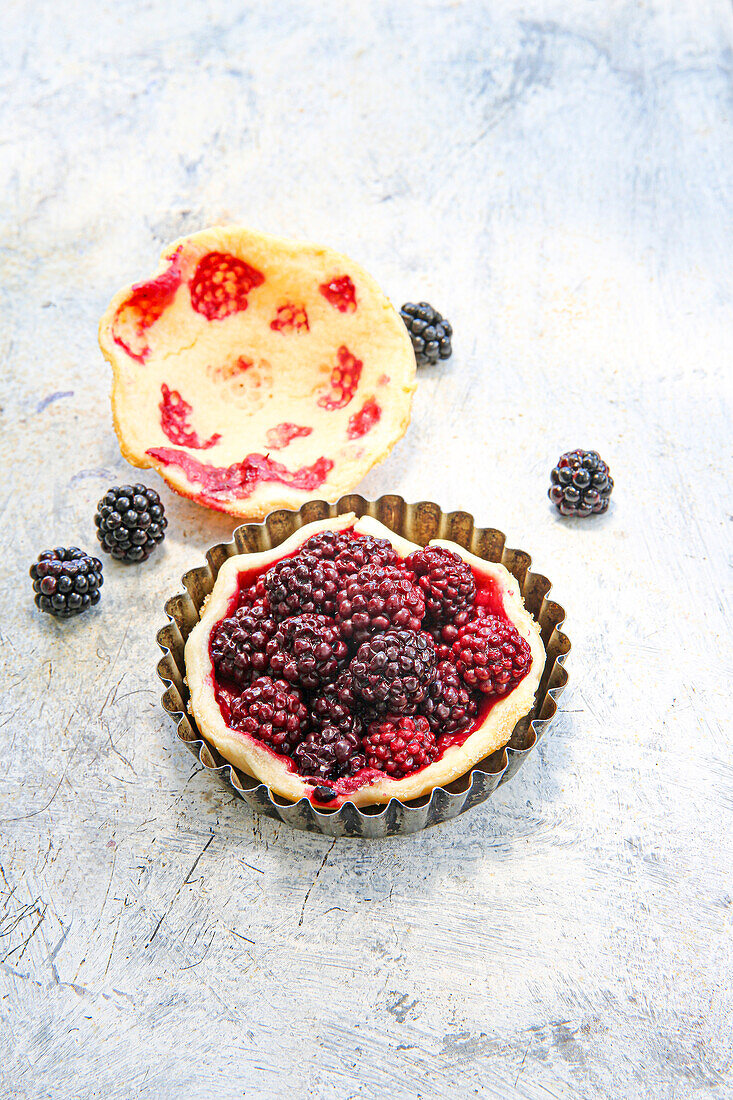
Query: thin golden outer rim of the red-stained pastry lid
point(269, 496)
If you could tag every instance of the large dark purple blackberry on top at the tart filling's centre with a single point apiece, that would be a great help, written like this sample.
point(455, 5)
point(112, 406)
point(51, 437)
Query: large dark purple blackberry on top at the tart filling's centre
point(392, 672)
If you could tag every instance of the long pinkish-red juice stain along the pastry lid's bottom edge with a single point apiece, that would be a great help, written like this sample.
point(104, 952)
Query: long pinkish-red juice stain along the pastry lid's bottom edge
point(240, 480)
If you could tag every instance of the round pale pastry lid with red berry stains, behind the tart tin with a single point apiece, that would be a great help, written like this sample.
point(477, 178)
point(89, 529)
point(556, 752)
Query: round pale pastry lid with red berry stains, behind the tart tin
point(244, 345)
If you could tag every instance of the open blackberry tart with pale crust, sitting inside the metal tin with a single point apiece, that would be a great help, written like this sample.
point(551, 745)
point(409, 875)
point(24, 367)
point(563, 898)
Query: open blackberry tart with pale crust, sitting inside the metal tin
point(444, 664)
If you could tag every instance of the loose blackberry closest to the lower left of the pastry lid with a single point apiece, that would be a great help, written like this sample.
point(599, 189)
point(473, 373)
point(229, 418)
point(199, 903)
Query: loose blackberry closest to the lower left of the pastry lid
point(130, 522)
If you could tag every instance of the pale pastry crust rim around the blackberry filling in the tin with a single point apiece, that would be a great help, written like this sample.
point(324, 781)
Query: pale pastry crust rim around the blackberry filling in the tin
point(249, 756)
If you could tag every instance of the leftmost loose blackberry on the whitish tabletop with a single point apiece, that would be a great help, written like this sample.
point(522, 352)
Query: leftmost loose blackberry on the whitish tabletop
point(67, 581)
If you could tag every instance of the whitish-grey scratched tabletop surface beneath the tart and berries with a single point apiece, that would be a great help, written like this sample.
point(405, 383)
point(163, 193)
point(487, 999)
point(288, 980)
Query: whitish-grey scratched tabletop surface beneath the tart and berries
point(556, 175)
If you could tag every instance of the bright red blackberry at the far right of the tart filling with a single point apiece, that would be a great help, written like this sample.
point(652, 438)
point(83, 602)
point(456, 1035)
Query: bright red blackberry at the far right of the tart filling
point(491, 656)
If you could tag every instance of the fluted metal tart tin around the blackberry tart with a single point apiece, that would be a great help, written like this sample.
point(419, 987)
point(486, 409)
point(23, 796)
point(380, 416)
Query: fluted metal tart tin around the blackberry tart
point(420, 523)
